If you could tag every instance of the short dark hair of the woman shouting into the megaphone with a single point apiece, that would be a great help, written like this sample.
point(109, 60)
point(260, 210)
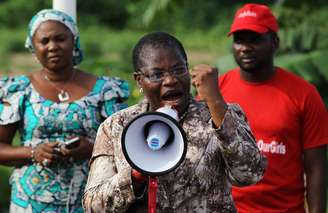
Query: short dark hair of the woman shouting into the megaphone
point(155, 40)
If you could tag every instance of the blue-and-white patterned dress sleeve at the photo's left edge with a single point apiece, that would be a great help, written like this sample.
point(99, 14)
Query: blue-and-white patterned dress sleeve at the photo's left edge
point(12, 91)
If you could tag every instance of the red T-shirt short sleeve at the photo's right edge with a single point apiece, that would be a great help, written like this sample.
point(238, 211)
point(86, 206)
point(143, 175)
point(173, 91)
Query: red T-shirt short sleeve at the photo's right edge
point(314, 121)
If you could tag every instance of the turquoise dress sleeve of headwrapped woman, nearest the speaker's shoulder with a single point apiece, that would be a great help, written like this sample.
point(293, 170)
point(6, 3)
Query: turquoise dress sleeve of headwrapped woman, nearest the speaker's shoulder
point(115, 93)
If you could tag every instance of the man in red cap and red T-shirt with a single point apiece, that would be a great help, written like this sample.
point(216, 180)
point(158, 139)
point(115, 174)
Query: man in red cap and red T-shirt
point(287, 117)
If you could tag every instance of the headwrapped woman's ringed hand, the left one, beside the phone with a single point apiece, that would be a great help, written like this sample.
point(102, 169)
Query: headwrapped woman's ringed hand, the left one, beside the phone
point(45, 154)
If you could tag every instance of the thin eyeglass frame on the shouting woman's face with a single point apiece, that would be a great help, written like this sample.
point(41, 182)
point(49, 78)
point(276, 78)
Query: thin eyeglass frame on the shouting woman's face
point(164, 72)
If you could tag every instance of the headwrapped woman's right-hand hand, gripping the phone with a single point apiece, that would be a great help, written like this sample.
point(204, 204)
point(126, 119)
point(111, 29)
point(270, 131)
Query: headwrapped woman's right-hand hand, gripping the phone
point(81, 152)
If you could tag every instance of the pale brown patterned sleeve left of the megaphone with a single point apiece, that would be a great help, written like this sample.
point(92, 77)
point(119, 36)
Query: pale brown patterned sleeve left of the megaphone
point(109, 186)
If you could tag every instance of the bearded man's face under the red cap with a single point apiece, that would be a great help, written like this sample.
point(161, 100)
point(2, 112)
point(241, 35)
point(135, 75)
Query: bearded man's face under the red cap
point(252, 50)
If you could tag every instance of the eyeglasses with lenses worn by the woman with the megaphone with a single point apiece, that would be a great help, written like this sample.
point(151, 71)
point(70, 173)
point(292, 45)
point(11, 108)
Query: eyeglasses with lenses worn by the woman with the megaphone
point(157, 75)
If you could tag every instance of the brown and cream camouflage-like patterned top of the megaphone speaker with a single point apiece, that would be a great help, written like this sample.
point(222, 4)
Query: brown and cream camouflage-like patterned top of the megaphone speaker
point(215, 159)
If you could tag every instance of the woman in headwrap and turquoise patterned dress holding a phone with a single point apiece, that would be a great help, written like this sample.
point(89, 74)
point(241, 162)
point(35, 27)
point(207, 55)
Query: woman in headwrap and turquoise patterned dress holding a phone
point(48, 108)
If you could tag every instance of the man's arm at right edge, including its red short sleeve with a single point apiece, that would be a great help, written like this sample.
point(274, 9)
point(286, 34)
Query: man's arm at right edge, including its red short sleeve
point(314, 137)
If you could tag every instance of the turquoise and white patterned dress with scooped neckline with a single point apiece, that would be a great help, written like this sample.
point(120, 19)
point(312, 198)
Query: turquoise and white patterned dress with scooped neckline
point(58, 188)
